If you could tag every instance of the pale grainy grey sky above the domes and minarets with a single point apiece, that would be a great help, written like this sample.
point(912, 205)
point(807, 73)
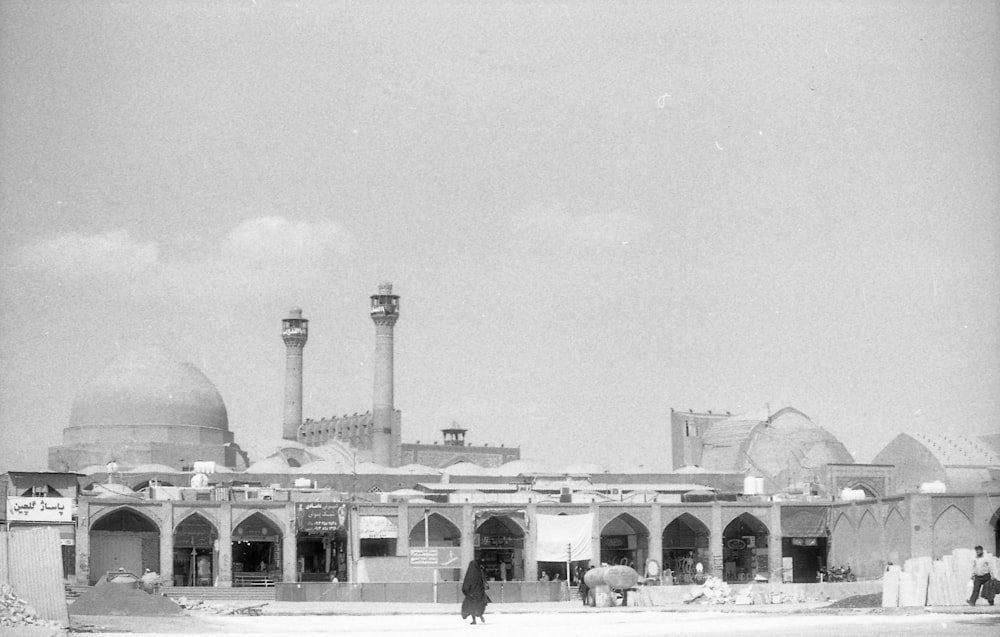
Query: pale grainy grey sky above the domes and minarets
point(593, 212)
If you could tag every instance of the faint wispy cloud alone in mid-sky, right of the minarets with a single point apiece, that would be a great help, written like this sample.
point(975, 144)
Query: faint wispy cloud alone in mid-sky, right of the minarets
point(577, 231)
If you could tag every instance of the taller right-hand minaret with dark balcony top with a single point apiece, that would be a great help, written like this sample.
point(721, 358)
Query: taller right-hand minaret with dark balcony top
point(384, 312)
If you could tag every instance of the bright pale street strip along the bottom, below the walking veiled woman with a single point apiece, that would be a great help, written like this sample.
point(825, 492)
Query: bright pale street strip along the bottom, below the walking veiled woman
point(589, 624)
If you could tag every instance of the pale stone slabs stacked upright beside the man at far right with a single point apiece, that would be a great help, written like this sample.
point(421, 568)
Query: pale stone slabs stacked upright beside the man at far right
point(923, 582)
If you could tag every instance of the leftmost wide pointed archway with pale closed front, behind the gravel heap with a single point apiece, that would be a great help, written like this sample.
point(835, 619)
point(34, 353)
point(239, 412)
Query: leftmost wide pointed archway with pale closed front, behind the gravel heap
point(123, 539)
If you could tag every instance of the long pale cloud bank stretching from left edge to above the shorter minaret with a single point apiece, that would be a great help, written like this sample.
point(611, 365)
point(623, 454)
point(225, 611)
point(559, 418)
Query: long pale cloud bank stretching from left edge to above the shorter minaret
point(259, 256)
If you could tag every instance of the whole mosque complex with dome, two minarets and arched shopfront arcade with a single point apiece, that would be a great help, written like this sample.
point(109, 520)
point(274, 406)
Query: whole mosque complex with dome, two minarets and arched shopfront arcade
point(163, 484)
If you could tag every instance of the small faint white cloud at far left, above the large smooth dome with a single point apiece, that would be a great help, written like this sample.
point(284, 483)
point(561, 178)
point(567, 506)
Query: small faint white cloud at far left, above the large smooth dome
point(73, 255)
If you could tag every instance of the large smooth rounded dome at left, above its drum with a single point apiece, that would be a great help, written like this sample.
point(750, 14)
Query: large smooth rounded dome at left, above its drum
point(147, 386)
